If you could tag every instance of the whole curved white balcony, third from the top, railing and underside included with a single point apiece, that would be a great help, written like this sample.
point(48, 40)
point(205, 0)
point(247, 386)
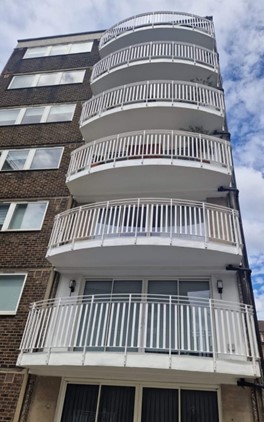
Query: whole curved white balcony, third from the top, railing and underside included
point(153, 105)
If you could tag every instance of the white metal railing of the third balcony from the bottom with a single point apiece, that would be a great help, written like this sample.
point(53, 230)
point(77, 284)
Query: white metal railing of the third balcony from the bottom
point(173, 145)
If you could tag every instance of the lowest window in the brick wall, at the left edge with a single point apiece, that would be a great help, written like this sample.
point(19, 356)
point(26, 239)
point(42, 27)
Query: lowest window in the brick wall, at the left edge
point(11, 288)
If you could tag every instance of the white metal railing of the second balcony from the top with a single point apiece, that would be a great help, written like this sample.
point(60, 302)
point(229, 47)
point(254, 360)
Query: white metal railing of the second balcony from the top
point(152, 51)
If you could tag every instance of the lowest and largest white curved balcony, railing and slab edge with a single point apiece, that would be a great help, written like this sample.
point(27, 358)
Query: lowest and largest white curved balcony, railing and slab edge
point(185, 333)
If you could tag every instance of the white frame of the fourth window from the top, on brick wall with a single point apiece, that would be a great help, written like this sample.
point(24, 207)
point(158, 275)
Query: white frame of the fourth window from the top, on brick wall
point(29, 159)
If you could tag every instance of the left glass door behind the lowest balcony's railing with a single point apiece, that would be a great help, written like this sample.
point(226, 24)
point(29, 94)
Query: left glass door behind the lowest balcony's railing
point(114, 314)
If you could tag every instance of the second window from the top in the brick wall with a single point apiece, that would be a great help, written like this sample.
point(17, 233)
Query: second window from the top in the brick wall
point(46, 79)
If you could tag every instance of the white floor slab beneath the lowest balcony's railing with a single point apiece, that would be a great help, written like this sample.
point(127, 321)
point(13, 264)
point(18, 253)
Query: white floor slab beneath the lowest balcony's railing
point(139, 366)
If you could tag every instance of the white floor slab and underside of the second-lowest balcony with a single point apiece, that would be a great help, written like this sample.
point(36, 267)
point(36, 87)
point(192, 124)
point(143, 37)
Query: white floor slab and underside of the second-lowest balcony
point(149, 252)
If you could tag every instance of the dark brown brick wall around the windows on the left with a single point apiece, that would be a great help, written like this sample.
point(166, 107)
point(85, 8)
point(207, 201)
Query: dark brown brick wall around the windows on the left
point(23, 251)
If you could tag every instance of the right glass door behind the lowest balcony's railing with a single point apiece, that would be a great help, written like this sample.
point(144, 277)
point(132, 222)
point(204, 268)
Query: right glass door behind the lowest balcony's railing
point(178, 318)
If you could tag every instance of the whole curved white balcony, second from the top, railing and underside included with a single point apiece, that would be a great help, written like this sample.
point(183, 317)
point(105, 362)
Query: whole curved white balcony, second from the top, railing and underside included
point(158, 60)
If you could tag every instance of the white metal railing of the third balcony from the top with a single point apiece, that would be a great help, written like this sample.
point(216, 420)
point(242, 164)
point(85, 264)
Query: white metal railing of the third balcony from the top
point(148, 92)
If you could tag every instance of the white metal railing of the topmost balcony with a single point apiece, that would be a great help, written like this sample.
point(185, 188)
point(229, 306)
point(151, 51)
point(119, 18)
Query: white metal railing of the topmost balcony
point(155, 19)
